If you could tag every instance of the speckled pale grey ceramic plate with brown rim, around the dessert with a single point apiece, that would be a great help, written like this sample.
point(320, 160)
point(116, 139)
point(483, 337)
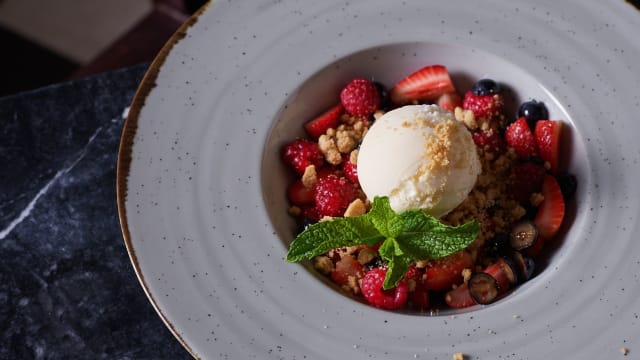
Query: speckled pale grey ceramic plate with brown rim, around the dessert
point(201, 188)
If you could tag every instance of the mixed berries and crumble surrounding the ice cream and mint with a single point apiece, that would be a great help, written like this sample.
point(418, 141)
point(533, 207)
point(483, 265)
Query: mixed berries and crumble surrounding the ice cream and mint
point(518, 200)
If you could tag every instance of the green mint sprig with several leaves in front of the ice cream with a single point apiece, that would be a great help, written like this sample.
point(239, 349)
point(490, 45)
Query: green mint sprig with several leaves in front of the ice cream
point(406, 237)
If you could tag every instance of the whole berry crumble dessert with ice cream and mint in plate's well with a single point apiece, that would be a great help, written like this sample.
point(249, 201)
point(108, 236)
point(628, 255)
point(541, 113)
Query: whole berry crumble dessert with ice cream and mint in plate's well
point(480, 157)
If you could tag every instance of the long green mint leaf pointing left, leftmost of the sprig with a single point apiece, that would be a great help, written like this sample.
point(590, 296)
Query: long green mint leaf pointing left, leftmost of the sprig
point(321, 237)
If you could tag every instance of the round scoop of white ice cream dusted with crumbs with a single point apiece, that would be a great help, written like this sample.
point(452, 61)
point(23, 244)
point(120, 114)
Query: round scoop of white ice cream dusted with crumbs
point(421, 157)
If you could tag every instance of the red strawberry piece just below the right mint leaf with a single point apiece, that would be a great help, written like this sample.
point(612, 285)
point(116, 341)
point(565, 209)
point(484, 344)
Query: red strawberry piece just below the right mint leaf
point(443, 273)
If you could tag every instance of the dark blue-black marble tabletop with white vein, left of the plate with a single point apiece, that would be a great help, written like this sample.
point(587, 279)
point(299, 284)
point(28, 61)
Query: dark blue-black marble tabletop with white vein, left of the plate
point(67, 288)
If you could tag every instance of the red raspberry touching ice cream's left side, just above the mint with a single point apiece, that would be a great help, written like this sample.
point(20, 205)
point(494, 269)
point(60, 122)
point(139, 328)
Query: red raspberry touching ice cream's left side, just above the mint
point(333, 195)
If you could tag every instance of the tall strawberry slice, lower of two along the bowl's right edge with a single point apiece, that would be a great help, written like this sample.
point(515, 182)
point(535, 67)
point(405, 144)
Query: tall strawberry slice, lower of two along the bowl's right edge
point(550, 213)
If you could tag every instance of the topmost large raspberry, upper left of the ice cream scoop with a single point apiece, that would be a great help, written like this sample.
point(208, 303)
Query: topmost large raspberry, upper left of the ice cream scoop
point(360, 97)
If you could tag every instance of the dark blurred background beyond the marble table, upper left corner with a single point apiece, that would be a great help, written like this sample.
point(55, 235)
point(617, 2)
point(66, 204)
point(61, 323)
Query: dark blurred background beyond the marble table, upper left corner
point(49, 41)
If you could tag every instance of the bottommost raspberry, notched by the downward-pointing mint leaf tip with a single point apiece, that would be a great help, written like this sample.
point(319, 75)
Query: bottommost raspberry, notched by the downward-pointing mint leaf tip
point(386, 299)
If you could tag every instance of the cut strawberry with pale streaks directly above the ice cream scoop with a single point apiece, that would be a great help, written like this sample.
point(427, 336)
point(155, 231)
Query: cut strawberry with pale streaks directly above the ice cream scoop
point(427, 84)
